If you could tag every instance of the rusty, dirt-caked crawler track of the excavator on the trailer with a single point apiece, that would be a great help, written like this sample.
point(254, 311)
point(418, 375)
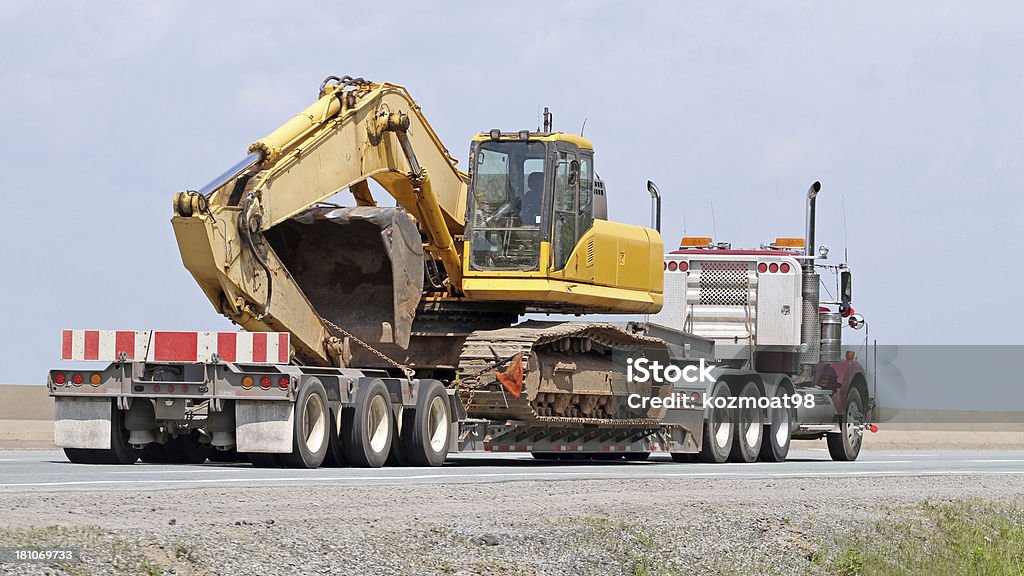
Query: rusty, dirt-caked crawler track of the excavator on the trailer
point(575, 374)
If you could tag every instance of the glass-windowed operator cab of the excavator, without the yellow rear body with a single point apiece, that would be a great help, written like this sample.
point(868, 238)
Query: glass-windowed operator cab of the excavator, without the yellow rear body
point(531, 201)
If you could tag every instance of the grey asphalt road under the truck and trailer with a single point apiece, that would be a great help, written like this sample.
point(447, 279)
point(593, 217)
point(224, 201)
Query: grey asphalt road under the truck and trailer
point(50, 471)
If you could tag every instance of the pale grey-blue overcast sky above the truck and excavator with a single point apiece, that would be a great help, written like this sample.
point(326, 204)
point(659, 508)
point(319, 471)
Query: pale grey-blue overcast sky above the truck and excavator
point(909, 113)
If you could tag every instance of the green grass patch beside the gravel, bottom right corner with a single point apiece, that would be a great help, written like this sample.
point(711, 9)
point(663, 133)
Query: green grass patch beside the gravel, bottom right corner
point(961, 538)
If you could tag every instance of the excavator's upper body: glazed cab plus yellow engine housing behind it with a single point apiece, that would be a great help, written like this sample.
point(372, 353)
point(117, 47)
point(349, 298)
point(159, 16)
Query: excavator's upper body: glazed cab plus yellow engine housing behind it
point(535, 234)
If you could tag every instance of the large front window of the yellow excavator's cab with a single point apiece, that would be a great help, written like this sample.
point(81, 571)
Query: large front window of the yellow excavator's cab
point(507, 194)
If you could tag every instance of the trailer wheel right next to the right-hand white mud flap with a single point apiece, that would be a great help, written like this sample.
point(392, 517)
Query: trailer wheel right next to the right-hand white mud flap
point(311, 428)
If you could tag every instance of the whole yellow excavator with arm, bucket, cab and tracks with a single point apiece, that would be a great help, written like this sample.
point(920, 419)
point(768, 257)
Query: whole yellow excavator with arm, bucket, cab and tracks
point(435, 285)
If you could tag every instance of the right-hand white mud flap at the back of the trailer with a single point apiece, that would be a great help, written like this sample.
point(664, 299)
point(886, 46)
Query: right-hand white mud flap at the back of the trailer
point(264, 427)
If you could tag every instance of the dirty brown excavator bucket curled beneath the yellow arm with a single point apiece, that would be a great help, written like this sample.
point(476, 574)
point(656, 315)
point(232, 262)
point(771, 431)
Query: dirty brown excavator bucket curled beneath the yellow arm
point(361, 268)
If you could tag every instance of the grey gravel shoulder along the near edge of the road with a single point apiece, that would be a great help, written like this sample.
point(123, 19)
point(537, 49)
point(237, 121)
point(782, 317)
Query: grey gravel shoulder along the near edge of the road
point(517, 528)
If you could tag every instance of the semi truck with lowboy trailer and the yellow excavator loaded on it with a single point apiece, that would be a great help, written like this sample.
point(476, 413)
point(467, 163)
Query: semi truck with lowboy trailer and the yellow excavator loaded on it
point(376, 336)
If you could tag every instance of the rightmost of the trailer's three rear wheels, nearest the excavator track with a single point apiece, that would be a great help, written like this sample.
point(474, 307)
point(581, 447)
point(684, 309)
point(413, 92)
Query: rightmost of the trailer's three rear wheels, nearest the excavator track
point(425, 438)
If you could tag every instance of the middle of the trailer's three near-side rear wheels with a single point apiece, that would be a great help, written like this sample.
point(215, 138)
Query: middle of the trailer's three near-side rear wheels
point(367, 428)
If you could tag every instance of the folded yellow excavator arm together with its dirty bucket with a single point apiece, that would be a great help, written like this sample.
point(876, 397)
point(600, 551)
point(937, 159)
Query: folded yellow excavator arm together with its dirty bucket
point(272, 258)
